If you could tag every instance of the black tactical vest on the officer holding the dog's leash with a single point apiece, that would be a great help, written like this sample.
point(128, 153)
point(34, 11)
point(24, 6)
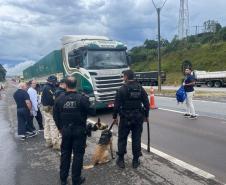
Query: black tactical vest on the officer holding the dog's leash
point(133, 97)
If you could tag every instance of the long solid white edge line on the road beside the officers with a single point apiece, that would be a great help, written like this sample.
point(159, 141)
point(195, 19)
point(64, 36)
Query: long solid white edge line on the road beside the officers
point(173, 159)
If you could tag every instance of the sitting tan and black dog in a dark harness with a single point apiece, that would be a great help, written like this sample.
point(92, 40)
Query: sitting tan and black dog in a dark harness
point(101, 153)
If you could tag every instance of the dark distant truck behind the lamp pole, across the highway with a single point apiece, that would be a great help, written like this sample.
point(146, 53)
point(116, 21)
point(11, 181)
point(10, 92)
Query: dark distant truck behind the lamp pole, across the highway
point(149, 78)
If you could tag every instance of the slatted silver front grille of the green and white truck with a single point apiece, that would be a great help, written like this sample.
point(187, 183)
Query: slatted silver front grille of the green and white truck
point(106, 87)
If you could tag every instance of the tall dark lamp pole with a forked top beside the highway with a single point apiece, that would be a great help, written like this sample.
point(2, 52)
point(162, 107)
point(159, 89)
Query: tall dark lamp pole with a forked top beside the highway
point(158, 9)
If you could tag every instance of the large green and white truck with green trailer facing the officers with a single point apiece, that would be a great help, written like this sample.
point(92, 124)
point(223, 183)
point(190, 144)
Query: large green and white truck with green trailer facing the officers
point(97, 63)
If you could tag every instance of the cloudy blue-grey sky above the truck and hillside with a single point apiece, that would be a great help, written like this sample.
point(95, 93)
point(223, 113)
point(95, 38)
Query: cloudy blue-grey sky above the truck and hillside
point(30, 29)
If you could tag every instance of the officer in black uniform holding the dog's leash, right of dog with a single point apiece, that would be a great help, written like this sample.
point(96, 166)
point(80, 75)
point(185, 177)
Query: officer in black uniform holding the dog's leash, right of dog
point(132, 104)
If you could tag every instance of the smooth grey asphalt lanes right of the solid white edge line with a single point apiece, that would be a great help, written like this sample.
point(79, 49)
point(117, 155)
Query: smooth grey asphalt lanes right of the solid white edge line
point(201, 142)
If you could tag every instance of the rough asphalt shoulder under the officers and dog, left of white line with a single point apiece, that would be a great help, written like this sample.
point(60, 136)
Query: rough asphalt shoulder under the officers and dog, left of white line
point(31, 163)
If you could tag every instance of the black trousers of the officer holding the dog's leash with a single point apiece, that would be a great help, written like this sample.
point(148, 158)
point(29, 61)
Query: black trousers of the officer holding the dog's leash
point(130, 122)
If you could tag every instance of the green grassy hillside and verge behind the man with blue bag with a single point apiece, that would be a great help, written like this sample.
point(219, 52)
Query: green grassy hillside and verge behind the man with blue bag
point(208, 57)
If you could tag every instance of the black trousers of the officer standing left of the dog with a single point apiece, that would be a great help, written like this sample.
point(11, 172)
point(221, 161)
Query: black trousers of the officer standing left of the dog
point(73, 139)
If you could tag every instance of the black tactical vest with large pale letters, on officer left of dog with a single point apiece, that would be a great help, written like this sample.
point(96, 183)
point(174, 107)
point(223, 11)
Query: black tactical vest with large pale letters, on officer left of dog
point(71, 111)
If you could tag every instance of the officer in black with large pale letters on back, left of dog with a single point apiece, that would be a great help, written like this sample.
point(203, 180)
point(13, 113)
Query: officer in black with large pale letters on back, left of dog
point(70, 114)
